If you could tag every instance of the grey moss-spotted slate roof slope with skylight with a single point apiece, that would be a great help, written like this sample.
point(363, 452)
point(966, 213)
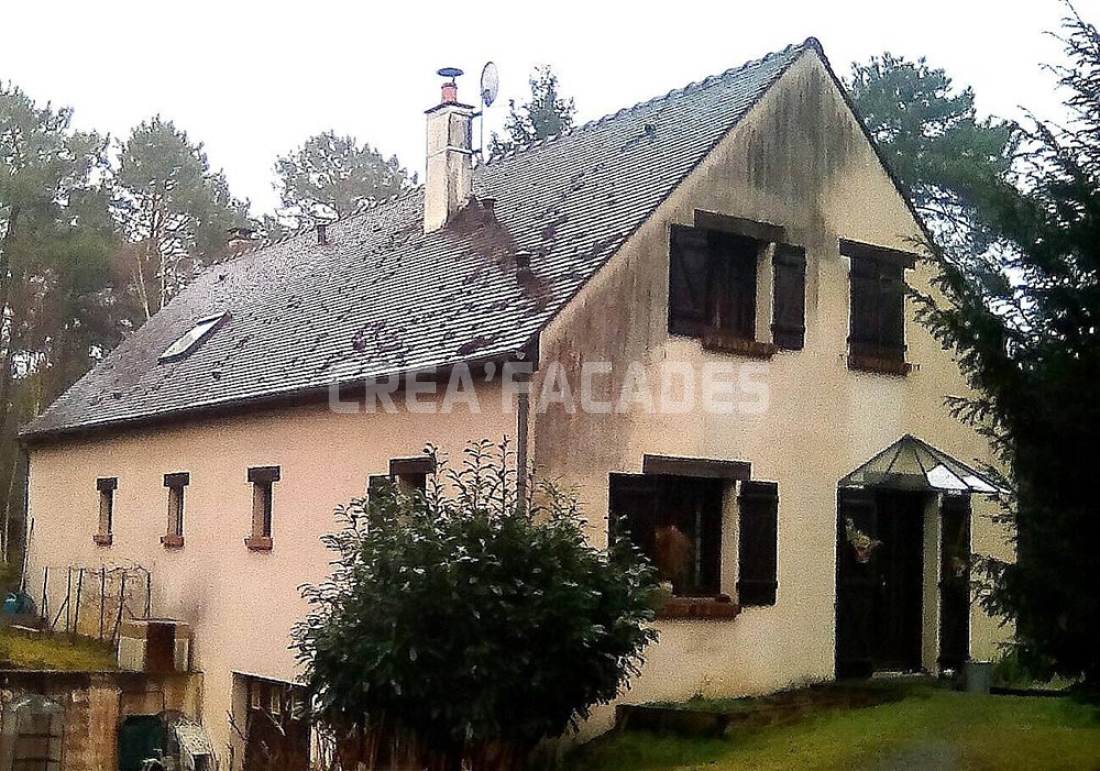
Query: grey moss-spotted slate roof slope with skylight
point(384, 298)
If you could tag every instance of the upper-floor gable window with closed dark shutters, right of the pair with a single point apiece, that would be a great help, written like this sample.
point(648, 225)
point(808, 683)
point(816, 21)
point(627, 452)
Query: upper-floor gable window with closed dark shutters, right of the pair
point(877, 332)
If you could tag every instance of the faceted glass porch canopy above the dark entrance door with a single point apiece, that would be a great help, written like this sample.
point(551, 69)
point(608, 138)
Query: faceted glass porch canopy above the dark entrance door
point(914, 465)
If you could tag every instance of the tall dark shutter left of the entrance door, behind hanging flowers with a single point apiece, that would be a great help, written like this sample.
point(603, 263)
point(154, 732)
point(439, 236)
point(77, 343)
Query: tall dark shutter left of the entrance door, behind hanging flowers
point(857, 586)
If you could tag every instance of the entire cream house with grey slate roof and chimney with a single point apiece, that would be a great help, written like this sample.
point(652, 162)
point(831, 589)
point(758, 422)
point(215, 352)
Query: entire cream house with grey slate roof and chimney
point(692, 312)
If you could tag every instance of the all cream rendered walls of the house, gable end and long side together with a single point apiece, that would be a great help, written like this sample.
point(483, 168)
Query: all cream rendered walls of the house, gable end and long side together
point(800, 161)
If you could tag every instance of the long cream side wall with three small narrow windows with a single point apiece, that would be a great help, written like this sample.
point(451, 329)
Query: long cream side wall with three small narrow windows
point(243, 604)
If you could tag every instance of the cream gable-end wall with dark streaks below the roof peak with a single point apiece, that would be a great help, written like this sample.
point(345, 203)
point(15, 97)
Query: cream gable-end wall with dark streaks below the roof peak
point(799, 160)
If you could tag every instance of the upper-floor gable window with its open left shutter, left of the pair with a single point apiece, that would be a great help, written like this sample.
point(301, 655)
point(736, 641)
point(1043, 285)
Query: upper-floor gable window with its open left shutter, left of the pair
point(712, 283)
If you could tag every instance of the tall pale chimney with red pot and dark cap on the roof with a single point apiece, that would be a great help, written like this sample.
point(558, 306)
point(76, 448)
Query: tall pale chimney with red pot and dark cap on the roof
point(449, 171)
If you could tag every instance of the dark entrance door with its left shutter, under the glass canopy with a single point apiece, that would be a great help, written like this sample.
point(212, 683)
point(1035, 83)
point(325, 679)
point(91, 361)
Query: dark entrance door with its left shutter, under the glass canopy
point(881, 547)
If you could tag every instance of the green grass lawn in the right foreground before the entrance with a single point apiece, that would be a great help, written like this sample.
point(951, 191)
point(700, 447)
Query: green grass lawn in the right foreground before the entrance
point(929, 730)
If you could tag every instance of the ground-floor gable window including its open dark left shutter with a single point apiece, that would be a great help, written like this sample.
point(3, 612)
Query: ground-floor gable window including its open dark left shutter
point(677, 522)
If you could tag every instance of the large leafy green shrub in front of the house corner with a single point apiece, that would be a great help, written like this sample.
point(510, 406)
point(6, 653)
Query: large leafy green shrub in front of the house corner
point(470, 624)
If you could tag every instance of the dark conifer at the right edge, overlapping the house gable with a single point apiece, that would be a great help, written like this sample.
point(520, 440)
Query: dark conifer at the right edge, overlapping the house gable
point(1025, 320)
